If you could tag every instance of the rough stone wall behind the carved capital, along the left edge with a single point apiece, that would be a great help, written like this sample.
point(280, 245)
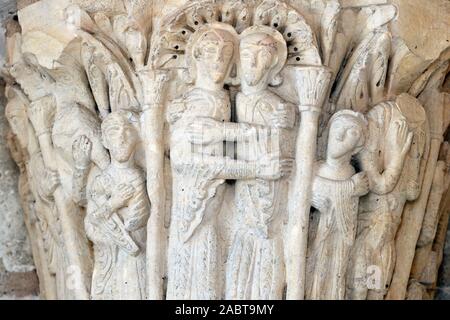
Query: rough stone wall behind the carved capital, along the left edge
point(17, 275)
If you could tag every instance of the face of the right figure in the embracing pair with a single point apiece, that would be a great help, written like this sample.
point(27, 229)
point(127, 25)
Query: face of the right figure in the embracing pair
point(257, 57)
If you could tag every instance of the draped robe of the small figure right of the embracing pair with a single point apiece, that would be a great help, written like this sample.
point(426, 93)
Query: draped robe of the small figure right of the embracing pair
point(331, 242)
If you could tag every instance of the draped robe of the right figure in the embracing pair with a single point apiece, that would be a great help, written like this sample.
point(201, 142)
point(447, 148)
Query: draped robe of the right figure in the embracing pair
point(255, 268)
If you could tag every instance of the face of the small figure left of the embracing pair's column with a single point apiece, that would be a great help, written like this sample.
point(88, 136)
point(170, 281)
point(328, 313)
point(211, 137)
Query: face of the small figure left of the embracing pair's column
point(120, 138)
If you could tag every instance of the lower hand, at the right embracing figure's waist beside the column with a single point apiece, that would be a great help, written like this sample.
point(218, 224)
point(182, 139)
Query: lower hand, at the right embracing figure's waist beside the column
point(270, 167)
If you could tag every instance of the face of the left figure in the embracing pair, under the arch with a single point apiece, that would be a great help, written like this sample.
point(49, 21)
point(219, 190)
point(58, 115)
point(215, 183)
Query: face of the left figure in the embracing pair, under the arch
point(214, 54)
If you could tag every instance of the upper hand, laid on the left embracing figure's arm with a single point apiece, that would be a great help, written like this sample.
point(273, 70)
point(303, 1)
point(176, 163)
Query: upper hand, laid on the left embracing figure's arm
point(205, 131)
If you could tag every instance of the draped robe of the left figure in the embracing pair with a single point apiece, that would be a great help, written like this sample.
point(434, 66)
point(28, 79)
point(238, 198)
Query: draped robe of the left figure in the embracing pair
point(194, 247)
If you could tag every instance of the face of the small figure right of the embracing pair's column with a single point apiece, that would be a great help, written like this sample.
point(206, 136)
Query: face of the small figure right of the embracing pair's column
point(344, 137)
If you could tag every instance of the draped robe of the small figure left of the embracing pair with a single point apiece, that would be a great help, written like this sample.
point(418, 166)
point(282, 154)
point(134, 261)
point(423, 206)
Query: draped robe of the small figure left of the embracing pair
point(120, 240)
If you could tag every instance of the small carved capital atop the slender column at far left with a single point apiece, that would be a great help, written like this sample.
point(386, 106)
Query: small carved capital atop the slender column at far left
point(41, 114)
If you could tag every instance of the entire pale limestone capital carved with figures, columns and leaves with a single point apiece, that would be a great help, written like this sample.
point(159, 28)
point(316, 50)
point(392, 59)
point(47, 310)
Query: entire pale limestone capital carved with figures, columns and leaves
point(211, 149)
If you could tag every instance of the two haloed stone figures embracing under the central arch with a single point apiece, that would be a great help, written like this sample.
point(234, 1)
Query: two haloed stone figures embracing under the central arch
point(200, 125)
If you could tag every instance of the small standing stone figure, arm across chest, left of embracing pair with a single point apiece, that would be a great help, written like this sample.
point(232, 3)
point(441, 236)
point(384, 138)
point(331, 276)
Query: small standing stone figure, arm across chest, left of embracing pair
point(117, 215)
